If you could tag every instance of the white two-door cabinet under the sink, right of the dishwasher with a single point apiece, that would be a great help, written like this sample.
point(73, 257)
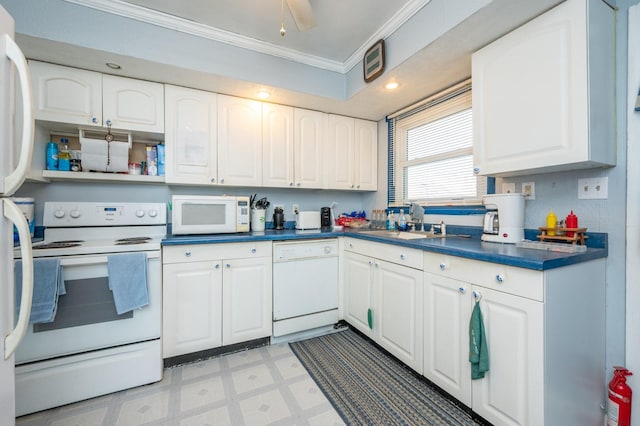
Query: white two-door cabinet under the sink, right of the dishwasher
point(383, 297)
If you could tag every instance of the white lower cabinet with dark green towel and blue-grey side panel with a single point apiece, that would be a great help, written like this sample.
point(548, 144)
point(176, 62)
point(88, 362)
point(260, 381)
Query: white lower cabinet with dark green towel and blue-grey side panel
point(545, 337)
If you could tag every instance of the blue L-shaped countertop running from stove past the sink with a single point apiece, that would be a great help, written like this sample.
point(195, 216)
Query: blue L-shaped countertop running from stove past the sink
point(470, 248)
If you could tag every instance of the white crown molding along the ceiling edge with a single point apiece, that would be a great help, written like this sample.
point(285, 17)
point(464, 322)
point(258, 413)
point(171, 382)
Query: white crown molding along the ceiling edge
point(131, 11)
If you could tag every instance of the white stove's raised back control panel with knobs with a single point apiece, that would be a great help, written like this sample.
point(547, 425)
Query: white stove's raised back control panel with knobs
point(103, 214)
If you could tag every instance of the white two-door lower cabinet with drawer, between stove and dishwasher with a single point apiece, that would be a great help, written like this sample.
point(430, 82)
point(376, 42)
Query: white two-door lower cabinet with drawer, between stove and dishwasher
point(215, 295)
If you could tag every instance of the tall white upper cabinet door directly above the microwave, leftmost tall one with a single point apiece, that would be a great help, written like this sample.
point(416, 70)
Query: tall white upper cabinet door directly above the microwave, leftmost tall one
point(191, 155)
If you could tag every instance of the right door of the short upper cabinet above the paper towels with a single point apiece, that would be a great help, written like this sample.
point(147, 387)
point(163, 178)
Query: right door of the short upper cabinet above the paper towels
point(133, 104)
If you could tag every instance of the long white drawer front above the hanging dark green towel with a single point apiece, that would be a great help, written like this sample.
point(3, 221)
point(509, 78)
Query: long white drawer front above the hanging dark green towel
point(508, 279)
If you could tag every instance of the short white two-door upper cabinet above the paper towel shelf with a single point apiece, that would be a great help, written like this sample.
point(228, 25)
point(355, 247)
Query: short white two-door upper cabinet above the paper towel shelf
point(75, 96)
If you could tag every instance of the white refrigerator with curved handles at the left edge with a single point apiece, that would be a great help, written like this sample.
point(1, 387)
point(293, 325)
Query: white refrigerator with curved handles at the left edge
point(16, 145)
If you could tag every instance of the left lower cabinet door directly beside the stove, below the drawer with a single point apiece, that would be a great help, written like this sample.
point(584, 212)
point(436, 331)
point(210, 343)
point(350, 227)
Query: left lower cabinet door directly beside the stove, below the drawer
point(192, 307)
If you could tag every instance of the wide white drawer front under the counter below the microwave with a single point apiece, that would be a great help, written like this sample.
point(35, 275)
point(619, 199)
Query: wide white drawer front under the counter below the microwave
point(203, 252)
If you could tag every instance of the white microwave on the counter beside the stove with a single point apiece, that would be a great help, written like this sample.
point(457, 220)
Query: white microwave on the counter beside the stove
point(204, 214)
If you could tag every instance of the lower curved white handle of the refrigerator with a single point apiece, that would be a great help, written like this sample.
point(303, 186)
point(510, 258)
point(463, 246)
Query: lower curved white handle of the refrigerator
point(15, 215)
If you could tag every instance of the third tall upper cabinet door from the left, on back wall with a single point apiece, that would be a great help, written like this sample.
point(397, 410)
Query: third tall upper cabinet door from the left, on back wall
point(277, 145)
